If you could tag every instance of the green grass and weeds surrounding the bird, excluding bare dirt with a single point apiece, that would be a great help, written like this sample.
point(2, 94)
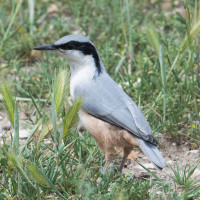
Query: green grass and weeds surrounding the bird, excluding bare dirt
point(149, 47)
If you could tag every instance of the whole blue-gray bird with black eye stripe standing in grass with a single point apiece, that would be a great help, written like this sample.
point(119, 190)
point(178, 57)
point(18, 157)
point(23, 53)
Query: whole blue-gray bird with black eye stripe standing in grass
point(107, 112)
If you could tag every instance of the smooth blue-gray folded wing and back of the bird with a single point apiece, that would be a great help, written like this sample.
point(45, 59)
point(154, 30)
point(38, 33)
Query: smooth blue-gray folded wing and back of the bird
point(104, 99)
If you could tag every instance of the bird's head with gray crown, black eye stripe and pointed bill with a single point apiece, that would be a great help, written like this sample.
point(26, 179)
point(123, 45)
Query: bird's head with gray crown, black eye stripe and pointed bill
point(77, 49)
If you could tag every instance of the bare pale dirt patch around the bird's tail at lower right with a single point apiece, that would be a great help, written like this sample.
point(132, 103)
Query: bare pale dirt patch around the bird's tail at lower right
point(183, 153)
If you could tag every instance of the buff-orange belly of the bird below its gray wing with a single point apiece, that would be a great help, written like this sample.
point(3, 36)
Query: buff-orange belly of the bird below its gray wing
point(110, 139)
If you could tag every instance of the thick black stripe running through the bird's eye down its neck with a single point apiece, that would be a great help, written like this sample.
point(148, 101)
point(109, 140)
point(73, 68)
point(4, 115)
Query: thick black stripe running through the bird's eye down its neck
point(85, 47)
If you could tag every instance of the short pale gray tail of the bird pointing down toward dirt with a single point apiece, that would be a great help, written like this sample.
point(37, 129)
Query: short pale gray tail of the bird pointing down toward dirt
point(152, 153)
